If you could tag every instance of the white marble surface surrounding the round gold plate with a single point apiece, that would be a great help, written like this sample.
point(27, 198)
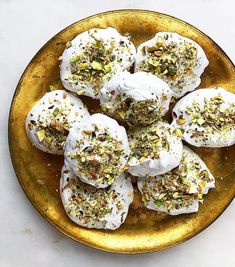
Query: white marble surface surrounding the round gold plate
point(26, 239)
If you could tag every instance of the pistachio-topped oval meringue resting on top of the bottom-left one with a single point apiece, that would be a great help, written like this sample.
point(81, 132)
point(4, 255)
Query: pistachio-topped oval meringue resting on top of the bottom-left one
point(97, 150)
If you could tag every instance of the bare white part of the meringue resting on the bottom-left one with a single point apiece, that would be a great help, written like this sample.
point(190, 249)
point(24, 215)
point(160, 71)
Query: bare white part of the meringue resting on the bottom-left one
point(104, 124)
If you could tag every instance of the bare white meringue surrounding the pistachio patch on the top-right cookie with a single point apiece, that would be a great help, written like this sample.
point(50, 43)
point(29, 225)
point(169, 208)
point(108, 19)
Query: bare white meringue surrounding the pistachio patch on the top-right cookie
point(190, 82)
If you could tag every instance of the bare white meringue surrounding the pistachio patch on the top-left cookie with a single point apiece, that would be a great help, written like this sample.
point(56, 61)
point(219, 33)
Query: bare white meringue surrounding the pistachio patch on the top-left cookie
point(125, 56)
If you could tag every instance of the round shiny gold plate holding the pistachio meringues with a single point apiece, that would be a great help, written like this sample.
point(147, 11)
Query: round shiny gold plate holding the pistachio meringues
point(39, 173)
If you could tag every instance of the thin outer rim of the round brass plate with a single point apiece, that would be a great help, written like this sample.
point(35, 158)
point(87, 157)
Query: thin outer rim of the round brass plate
point(24, 188)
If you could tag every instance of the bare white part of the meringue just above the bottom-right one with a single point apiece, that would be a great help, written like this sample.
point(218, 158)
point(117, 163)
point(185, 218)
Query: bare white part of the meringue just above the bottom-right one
point(168, 158)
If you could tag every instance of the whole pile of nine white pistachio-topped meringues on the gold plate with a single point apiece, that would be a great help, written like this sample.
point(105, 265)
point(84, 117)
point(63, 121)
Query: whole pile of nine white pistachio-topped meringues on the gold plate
point(100, 155)
